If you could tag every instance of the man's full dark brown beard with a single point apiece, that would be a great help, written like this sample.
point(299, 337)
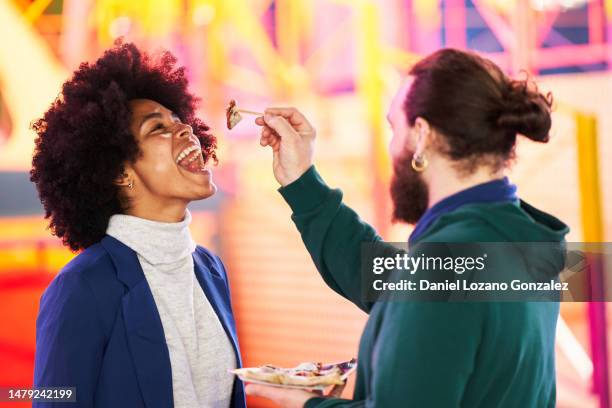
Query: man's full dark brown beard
point(408, 190)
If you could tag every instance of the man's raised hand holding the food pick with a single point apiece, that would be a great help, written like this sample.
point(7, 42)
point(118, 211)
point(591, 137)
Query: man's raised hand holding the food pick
point(292, 138)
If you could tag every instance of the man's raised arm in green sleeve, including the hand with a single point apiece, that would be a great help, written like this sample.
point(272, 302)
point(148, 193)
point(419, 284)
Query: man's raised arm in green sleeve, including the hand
point(332, 232)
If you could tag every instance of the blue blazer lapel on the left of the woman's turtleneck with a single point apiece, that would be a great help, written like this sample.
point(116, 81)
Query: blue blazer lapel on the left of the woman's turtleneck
point(144, 330)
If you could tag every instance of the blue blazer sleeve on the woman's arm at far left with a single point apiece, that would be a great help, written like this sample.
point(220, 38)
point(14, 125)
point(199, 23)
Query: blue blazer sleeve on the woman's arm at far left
point(69, 339)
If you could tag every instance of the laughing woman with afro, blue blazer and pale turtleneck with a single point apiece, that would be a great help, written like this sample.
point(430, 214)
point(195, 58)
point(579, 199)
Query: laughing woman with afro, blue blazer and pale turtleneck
point(142, 316)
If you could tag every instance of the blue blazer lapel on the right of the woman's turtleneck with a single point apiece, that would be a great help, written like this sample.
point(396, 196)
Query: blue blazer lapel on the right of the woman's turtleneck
point(215, 289)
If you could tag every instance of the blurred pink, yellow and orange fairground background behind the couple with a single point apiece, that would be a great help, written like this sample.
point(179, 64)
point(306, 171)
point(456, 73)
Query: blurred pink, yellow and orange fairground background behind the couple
point(339, 62)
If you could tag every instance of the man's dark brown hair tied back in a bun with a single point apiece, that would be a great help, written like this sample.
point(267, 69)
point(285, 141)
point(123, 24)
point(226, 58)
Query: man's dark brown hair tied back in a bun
point(476, 108)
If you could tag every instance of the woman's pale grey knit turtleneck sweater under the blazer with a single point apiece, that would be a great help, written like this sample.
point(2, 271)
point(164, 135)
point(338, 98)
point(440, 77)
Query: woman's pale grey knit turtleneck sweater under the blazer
point(200, 352)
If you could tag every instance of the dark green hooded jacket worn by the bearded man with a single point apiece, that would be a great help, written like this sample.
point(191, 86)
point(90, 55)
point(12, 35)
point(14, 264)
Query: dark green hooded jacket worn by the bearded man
point(435, 354)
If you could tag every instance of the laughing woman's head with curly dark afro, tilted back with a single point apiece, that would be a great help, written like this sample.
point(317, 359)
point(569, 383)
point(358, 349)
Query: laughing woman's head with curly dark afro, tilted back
point(118, 120)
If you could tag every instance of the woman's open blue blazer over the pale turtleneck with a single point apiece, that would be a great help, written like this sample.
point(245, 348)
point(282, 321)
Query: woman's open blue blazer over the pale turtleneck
point(98, 329)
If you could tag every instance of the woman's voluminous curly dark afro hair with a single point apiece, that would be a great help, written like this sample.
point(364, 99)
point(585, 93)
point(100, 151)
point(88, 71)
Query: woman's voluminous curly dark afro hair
point(84, 139)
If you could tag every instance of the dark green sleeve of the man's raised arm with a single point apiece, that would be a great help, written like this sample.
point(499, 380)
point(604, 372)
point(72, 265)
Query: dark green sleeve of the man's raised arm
point(333, 234)
